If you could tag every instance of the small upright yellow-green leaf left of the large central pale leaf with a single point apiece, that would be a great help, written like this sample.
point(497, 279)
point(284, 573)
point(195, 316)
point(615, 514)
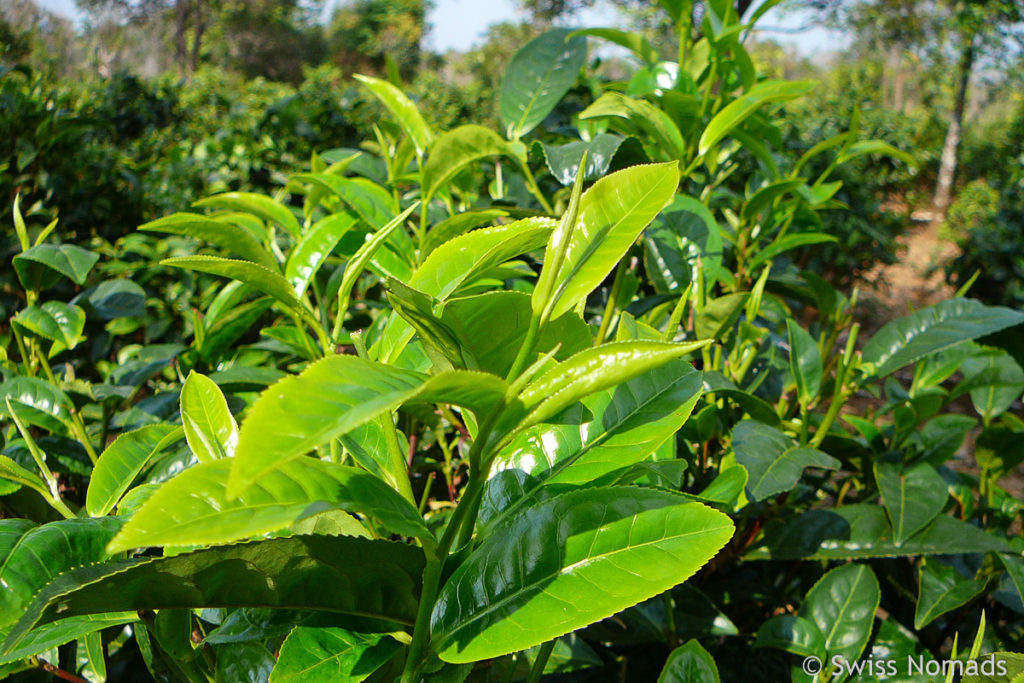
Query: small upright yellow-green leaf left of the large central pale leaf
point(208, 424)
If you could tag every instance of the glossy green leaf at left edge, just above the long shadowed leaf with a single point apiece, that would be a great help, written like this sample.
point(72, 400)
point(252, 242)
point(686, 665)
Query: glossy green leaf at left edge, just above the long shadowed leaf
point(44, 552)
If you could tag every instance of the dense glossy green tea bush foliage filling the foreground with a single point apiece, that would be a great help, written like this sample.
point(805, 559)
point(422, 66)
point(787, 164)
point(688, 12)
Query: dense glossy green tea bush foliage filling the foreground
point(467, 405)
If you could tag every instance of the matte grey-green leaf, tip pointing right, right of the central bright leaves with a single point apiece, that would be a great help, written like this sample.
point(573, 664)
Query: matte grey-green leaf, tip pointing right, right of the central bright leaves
point(775, 462)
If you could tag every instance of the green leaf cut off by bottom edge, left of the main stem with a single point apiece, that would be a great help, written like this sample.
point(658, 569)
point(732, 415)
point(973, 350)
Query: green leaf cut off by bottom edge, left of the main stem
point(325, 656)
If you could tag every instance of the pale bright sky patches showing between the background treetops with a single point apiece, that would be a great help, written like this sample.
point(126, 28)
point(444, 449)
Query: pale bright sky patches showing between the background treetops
point(459, 25)
